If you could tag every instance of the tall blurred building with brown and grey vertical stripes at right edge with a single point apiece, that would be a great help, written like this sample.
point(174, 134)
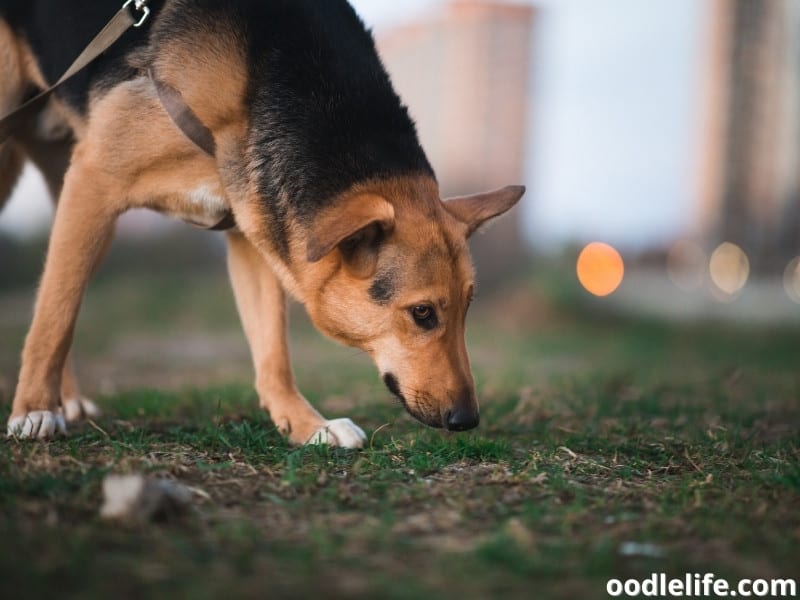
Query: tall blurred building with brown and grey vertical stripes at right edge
point(749, 191)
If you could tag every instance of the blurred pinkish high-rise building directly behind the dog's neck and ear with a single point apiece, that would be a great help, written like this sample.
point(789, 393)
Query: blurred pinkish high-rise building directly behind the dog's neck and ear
point(464, 73)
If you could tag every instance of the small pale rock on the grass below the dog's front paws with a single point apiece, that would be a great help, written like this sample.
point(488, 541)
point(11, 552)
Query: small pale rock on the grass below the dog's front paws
point(136, 498)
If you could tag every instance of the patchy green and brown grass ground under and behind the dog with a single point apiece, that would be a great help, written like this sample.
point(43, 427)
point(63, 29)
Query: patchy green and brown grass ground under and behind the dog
point(595, 432)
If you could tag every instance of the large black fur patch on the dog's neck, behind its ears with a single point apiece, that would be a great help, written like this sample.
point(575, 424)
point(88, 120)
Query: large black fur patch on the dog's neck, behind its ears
point(325, 115)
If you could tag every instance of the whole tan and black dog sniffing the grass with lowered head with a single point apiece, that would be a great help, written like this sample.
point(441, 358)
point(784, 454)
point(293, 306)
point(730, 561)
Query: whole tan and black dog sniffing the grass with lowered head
point(290, 137)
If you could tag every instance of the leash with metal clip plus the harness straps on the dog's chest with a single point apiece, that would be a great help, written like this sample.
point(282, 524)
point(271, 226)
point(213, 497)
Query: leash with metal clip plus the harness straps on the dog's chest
point(132, 14)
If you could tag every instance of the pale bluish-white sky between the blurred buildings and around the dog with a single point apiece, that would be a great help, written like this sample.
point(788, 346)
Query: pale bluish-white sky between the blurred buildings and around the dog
point(611, 140)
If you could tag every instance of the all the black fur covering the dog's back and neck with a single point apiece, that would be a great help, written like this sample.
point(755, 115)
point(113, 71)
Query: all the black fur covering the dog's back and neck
point(323, 113)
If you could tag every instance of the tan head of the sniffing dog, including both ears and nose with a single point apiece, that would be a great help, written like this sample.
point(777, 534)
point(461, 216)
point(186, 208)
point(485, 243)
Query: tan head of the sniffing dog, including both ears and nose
point(391, 274)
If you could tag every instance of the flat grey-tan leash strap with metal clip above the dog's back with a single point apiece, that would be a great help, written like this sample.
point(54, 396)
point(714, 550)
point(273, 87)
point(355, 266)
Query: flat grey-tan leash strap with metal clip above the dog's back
point(119, 24)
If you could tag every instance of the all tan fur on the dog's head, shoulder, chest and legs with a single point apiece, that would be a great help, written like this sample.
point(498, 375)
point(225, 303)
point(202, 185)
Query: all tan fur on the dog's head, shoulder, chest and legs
point(117, 164)
